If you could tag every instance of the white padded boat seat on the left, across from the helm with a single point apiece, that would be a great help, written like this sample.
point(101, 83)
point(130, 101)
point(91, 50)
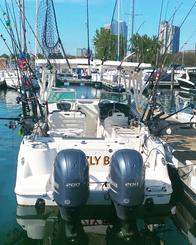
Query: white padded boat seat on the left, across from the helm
point(66, 122)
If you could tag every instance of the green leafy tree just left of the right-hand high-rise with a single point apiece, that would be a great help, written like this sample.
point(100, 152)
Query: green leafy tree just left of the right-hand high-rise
point(145, 48)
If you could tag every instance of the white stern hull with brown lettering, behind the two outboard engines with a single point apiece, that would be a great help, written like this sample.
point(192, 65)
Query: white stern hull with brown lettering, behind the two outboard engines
point(31, 186)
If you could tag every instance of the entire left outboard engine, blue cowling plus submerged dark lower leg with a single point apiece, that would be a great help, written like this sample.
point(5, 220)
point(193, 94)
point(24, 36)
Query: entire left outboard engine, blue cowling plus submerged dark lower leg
point(71, 189)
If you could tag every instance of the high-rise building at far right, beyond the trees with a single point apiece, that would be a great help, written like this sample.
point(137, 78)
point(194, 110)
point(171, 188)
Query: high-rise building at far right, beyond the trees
point(170, 38)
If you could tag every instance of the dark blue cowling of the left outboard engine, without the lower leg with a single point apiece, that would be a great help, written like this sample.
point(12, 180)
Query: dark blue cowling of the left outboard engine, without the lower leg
point(71, 178)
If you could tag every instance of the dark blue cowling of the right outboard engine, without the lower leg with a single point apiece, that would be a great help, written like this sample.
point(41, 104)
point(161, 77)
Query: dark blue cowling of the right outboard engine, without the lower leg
point(127, 178)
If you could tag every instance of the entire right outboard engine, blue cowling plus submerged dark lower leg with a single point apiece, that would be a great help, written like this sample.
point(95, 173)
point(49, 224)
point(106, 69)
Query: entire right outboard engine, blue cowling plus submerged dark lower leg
point(127, 181)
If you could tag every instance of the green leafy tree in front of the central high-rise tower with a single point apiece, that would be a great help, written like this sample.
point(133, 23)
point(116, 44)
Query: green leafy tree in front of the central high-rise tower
point(106, 45)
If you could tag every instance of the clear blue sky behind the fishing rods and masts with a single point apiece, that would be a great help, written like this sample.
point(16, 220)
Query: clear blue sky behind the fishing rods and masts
point(71, 19)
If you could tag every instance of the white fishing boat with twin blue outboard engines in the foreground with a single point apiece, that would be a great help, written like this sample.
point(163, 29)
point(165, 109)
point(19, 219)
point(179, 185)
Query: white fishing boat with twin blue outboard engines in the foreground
point(93, 155)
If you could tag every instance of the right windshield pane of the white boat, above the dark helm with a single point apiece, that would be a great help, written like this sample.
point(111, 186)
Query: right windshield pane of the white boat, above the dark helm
point(115, 97)
